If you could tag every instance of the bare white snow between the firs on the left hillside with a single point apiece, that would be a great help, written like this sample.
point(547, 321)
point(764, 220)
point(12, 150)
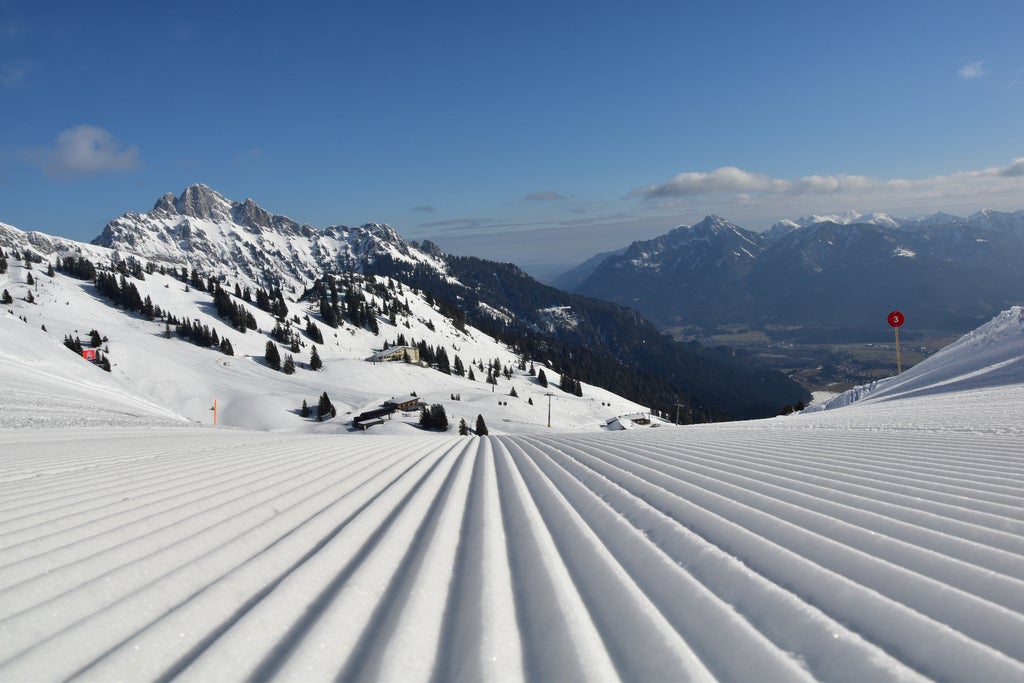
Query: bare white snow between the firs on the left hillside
point(181, 381)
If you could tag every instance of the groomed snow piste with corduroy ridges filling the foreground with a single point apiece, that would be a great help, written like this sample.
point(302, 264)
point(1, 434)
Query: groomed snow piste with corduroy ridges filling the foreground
point(883, 541)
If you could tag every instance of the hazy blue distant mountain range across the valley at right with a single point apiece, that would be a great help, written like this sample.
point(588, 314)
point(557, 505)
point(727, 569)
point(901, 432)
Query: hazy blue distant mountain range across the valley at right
point(826, 275)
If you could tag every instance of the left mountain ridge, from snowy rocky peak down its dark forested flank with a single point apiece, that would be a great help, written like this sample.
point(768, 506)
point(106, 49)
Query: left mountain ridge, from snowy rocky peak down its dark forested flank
point(212, 238)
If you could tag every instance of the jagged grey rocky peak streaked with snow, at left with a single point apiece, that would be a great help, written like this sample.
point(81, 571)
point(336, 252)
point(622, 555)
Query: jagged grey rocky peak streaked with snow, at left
point(205, 231)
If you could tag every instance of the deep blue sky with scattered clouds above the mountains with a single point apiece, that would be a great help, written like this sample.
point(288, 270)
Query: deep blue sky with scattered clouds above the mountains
point(537, 133)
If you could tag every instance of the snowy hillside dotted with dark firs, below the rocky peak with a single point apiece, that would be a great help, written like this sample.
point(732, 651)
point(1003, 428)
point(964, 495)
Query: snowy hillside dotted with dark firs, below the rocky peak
point(158, 377)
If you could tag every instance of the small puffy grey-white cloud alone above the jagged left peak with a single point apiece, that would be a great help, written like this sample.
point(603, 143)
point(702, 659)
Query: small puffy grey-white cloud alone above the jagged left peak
point(87, 150)
